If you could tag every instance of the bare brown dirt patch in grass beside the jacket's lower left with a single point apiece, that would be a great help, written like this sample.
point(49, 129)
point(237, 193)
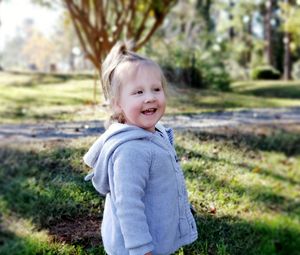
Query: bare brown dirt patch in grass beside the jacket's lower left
point(83, 231)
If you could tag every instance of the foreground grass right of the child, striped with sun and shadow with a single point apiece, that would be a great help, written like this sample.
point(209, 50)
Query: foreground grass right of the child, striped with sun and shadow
point(255, 193)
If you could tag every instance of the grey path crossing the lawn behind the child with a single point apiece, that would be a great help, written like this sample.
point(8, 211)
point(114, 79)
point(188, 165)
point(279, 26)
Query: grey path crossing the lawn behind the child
point(227, 120)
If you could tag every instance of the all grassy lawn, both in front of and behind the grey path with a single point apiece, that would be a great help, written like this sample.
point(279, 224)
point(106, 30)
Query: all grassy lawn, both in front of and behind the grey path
point(243, 182)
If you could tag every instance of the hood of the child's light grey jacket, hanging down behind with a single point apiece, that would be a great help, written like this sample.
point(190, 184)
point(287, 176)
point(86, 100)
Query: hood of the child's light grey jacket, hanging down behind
point(100, 152)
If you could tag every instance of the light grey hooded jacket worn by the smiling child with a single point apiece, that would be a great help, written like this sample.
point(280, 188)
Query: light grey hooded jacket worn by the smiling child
point(146, 206)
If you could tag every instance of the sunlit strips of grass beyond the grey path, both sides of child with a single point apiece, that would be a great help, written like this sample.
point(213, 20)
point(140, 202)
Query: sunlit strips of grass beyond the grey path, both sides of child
point(43, 97)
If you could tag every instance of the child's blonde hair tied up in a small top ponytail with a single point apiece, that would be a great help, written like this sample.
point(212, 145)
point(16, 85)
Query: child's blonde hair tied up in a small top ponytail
point(111, 83)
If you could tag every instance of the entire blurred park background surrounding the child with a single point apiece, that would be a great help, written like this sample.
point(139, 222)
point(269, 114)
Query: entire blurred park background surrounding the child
point(233, 99)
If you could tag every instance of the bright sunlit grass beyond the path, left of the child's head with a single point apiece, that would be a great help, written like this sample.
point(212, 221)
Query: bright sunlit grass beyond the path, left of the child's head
point(40, 97)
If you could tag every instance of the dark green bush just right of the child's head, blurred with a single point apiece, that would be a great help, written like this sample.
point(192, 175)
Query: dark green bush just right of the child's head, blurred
point(195, 68)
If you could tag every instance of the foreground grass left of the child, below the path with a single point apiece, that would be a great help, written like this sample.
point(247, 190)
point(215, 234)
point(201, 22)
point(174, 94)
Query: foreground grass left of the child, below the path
point(42, 191)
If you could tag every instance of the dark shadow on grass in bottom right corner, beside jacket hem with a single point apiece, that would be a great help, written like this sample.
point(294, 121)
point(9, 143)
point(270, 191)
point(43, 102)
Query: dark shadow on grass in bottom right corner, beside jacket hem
point(232, 235)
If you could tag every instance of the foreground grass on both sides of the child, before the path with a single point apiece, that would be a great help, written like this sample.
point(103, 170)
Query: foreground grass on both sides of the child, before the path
point(253, 185)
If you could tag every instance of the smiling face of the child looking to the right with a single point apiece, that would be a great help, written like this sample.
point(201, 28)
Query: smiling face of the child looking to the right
point(142, 98)
